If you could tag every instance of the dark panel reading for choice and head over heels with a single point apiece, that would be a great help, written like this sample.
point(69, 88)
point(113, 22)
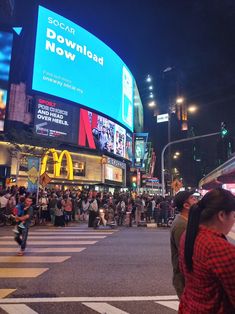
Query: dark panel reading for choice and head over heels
point(56, 120)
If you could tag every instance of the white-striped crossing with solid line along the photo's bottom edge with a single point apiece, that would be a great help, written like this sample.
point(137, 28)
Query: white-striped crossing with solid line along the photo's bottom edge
point(158, 304)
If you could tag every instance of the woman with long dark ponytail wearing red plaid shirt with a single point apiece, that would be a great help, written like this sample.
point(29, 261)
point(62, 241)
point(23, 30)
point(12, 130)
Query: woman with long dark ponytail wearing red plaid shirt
point(207, 259)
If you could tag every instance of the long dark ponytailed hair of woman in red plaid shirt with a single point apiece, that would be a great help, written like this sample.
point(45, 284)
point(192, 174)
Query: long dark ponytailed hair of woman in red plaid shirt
point(212, 203)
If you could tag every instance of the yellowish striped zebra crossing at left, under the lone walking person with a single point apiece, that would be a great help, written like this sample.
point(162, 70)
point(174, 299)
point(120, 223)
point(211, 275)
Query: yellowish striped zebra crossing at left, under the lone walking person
point(42, 245)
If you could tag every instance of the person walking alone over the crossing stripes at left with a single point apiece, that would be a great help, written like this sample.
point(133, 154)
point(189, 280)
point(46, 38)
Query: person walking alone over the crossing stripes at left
point(22, 234)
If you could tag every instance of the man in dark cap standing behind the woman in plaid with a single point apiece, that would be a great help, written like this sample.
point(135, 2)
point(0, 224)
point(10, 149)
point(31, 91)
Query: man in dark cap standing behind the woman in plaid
point(183, 201)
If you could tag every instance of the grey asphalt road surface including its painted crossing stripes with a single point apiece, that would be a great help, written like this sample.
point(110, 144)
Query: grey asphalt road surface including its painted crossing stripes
point(81, 270)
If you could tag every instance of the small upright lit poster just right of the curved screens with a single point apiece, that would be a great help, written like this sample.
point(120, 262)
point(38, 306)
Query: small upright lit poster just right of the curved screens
point(140, 140)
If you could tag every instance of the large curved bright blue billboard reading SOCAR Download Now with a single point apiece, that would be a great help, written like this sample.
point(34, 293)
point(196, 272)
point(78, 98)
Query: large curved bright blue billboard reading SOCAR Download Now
point(73, 64)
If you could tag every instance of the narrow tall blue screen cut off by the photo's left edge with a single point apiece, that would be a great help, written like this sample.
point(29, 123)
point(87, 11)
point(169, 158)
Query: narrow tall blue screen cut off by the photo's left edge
point(5, 59)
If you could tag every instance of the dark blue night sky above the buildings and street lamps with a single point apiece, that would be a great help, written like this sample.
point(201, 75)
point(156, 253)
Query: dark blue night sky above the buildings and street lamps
point(196, 38)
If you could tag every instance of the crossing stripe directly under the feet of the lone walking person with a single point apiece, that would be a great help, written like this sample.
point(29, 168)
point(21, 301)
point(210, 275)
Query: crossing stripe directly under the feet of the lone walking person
point(45, 250)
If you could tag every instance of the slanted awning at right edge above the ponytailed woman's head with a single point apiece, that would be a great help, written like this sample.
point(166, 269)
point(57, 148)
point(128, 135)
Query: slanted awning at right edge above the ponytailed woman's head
point(225, 173)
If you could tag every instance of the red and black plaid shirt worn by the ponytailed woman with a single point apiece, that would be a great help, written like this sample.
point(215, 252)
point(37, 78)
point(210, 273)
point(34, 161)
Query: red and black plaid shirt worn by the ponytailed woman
point(210, 287)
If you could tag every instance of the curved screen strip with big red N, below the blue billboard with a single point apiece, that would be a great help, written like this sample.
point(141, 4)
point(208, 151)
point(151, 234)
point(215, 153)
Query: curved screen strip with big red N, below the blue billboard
point(72, 124)
